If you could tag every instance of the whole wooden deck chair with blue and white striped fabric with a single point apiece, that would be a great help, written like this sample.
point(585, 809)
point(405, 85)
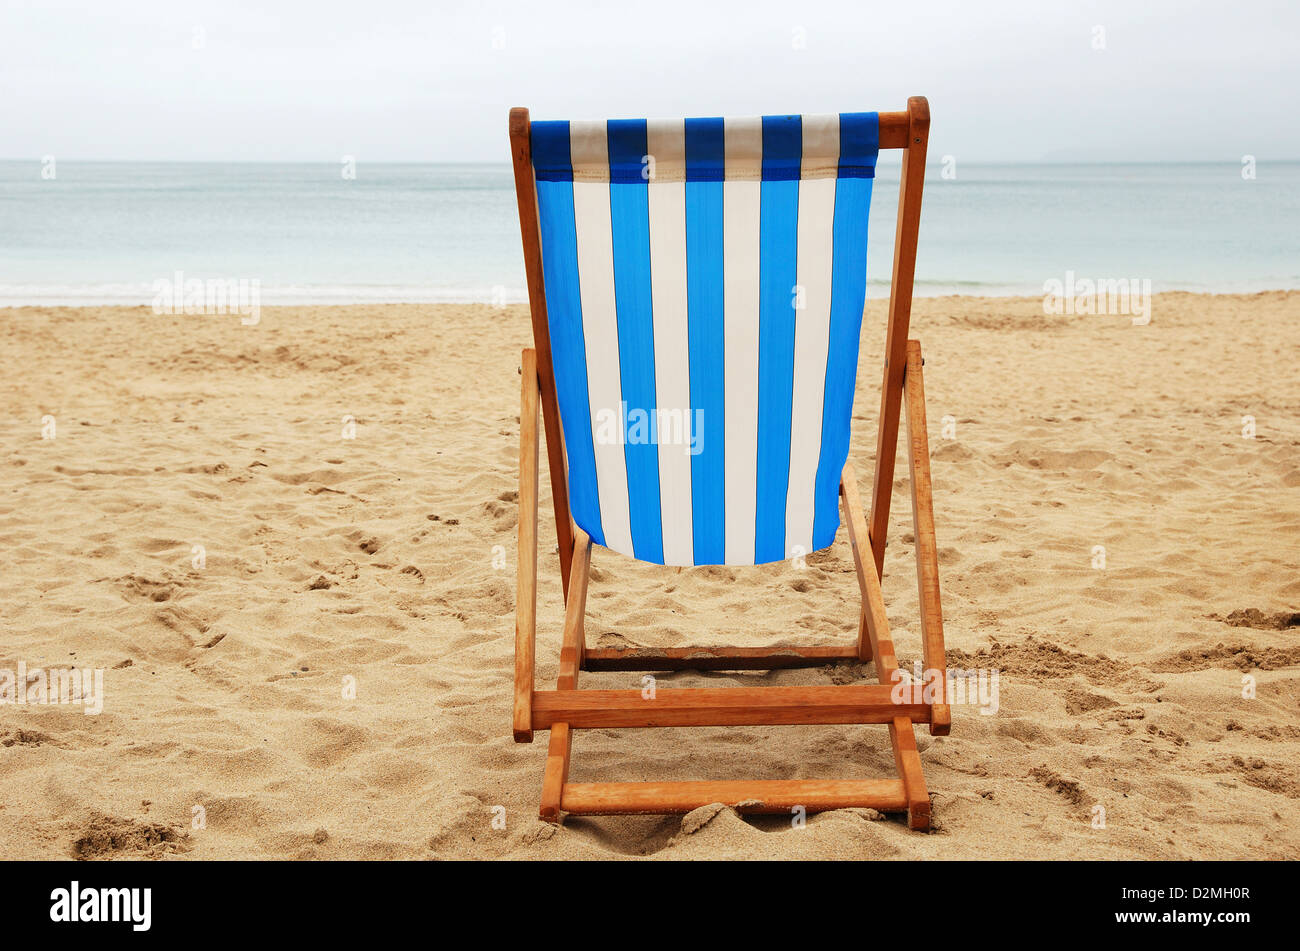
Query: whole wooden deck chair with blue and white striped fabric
point(714, 271)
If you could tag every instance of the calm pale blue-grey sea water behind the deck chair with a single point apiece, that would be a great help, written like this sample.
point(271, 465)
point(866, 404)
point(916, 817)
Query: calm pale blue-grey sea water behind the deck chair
point(107, 232)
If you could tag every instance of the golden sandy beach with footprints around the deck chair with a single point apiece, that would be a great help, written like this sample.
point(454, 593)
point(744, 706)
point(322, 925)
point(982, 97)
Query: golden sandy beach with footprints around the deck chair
point(388, 559)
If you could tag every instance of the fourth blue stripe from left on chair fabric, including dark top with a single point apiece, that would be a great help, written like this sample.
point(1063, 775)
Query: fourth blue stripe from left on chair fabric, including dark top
point(779, 218)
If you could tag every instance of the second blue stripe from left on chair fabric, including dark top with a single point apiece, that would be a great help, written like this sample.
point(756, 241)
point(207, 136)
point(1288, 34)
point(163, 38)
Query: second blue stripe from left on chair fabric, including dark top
point(630, 216)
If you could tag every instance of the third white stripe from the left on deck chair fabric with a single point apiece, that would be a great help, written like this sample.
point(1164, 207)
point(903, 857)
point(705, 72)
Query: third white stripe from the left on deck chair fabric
point(742, 201)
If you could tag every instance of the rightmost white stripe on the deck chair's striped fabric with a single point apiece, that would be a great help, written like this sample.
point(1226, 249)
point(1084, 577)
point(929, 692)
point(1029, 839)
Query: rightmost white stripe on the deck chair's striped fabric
point(812, 338)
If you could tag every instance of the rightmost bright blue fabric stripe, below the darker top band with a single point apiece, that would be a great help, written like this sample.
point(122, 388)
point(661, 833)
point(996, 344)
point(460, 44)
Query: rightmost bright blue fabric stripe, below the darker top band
point(848, 296)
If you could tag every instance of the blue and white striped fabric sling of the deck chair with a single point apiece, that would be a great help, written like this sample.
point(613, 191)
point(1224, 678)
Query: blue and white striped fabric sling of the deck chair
point(705, 281)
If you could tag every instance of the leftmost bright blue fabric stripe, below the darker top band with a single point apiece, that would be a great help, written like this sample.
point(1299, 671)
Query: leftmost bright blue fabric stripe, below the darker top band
point(569, 350)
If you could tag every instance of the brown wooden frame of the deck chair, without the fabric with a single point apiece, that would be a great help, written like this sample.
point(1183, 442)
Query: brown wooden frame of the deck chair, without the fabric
point(566, 709)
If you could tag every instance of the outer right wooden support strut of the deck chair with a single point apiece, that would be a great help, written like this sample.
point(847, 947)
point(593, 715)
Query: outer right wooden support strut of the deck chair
point(928, 549)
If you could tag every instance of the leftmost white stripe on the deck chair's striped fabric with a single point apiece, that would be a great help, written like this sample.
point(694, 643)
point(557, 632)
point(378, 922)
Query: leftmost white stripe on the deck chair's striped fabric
point(601, 336)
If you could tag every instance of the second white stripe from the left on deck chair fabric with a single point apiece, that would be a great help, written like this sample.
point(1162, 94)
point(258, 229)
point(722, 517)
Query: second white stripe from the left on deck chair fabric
point(666, 142)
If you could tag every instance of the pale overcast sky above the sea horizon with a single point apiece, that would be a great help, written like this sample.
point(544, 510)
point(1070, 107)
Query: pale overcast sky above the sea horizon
point(434, 81)
